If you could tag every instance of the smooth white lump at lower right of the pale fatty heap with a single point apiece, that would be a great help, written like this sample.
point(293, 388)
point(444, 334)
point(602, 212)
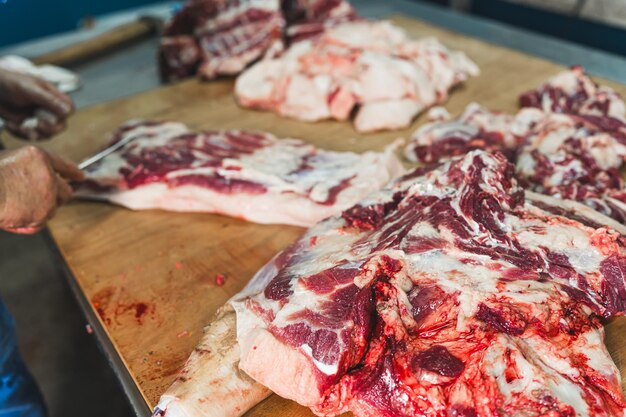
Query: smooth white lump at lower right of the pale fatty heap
point(393, 114)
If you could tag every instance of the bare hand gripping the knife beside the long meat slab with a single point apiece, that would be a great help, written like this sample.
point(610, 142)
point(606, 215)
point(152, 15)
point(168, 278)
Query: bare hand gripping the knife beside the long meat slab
point(33, 183)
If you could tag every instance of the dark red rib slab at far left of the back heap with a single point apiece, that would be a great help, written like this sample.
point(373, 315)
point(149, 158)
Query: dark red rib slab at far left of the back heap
point(216, 37)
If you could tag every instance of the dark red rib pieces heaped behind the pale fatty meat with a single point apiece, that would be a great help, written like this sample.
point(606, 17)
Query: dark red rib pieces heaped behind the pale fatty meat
point(222, 37)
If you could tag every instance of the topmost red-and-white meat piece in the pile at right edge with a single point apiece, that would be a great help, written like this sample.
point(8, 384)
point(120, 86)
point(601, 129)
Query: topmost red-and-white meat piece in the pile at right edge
point(575, 92)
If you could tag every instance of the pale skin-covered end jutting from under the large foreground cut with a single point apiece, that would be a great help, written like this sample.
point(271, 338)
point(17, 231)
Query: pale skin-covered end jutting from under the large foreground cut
point(211, 384)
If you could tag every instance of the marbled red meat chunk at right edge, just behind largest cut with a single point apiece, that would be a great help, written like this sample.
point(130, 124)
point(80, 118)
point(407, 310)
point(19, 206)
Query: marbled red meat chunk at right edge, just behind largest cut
point(576, 157)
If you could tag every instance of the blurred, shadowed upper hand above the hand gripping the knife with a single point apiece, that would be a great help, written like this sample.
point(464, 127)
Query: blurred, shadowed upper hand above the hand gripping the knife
point(31, 107)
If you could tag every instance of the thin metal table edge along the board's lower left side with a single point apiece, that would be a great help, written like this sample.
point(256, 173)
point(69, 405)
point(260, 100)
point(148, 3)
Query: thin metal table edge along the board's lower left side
point(129, 386)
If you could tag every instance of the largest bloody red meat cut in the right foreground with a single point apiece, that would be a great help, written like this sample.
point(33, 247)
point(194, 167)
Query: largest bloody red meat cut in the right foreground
point(448, 293)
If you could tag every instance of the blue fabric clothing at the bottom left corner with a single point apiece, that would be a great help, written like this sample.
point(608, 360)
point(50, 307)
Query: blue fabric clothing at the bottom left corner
point(19, 396)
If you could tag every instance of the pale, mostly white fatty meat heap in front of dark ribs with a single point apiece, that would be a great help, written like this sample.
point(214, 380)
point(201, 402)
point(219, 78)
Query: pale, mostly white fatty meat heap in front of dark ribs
point(372, 65)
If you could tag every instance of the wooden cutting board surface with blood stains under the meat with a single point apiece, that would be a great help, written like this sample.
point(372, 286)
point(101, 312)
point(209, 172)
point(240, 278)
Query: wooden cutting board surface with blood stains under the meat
point(151, 275)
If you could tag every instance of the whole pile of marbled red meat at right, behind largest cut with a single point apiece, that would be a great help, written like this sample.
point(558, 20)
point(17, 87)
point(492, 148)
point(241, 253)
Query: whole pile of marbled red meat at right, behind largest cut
point(569, 141)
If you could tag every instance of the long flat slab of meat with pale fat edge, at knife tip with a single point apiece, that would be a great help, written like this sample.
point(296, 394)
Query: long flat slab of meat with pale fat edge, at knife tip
point(255, 176)
